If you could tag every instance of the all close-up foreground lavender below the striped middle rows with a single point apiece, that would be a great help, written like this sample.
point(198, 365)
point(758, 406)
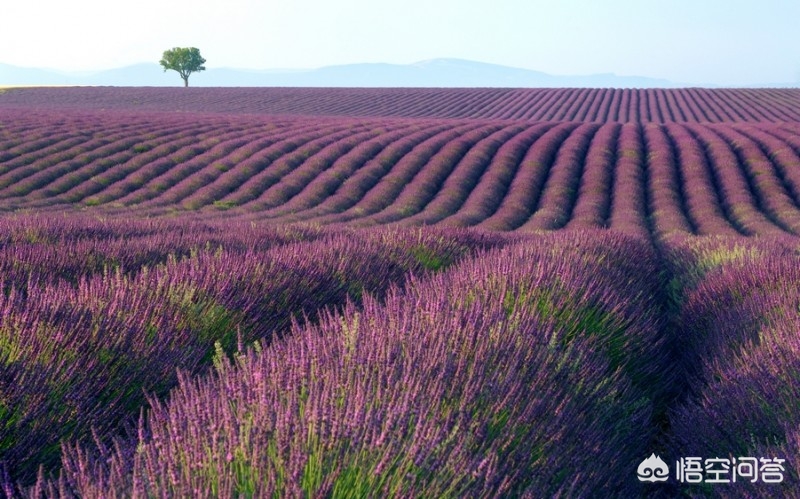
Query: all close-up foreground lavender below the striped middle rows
point(502, 359)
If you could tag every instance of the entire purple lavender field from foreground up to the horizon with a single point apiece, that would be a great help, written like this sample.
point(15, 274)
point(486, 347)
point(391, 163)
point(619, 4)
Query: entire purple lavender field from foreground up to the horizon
point(398, 292)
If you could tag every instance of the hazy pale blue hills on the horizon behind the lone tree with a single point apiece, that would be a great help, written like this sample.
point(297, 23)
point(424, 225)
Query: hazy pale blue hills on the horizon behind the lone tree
point(432, 73)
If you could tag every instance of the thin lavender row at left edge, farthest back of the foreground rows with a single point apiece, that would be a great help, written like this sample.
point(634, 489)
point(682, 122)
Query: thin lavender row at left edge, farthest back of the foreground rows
point(40, 249)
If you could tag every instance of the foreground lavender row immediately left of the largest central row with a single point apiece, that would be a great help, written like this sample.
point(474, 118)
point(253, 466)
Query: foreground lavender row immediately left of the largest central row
point(77, 357)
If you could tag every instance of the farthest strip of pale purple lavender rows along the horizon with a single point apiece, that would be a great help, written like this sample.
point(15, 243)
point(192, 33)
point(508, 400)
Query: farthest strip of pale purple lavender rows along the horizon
point(693, 105)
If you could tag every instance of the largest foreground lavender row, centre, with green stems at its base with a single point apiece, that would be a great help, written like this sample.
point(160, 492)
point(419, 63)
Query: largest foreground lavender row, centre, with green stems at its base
point(427, 394)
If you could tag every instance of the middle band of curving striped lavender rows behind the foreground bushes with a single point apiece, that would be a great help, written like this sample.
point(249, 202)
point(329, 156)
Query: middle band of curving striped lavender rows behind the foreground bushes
point(661, 179)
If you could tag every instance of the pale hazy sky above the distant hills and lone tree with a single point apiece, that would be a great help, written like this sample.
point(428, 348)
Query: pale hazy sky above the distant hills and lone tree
point(726, 42)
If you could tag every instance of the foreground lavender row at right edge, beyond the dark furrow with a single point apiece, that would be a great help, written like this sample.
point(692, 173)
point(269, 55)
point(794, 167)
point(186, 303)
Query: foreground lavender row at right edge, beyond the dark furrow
point(739, 317)
